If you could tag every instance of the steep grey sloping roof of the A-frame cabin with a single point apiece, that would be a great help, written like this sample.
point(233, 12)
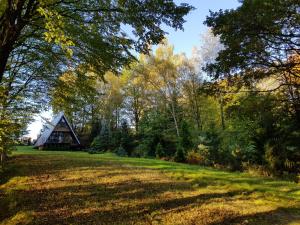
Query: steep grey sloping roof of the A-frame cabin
point(50, 128)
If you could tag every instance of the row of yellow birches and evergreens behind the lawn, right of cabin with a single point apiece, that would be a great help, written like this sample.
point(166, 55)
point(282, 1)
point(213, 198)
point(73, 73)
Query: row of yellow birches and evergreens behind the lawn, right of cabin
point(166, 106)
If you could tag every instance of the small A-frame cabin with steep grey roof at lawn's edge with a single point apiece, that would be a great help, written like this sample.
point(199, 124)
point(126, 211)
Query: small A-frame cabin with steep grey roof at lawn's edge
point(58, 134)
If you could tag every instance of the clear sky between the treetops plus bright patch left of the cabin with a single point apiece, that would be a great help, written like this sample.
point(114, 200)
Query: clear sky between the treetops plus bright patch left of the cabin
point(183, 41)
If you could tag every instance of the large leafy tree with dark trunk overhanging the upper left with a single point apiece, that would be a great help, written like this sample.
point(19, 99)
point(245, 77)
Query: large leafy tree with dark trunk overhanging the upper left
point(42, 39)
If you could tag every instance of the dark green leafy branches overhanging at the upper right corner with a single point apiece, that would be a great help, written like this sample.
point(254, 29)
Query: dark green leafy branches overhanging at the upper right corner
point(260, 47)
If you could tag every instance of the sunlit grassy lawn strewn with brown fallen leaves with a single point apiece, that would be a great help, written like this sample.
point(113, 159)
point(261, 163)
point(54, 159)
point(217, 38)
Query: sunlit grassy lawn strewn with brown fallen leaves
point(41, 187)
